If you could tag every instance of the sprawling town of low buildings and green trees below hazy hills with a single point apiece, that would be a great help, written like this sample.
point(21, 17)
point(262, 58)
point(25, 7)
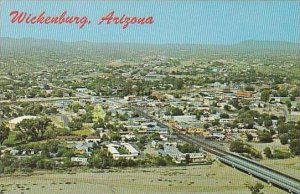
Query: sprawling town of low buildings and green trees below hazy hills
point(109, 110)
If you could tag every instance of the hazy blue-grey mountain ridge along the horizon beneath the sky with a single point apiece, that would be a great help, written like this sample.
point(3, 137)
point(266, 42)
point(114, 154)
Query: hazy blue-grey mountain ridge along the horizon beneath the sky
point(246, 47)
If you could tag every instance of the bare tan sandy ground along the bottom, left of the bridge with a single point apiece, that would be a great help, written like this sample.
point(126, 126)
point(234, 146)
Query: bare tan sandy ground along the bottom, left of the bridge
point(216, 178)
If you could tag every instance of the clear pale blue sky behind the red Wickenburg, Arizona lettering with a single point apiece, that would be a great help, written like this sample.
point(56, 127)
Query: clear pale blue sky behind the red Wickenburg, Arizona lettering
point(184, 22)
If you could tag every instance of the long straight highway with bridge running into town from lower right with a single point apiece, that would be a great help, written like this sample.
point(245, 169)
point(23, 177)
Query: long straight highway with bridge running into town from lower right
point(281, 180)
